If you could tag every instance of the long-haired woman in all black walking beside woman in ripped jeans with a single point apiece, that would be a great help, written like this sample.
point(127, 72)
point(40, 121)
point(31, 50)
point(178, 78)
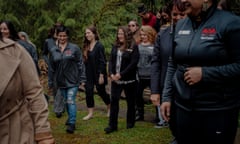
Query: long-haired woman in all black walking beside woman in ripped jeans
point(96, 73)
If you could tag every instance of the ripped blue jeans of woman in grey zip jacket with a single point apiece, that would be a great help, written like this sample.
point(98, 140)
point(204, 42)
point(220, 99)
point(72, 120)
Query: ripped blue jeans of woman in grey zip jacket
point(69, 95)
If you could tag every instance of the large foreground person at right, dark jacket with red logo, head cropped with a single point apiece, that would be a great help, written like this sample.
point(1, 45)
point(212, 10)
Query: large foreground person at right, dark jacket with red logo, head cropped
point(203, 75)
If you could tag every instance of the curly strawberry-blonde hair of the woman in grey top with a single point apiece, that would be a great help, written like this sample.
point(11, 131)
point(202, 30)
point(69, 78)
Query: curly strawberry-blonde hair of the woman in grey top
point(150, 32)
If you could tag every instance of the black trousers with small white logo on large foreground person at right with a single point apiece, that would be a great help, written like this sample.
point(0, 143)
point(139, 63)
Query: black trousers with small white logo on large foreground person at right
point(206, 127)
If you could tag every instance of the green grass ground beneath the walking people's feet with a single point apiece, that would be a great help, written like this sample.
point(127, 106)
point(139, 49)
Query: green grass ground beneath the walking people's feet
point(92, 131)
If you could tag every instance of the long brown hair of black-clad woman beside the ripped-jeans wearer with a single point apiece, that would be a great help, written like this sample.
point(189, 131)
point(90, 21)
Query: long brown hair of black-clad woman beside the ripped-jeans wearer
point(86, 42)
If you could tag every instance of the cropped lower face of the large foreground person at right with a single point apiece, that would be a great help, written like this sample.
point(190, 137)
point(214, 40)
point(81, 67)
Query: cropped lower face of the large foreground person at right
point(193, 7)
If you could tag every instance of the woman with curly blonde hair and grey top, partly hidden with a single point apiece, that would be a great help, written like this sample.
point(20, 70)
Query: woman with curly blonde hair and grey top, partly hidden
point(145, 47)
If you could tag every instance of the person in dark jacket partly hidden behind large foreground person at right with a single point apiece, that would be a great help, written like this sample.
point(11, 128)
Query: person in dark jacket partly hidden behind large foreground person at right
point(162, 50)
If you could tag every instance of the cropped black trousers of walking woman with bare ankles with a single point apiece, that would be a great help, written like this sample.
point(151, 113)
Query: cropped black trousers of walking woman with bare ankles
point(101, 89)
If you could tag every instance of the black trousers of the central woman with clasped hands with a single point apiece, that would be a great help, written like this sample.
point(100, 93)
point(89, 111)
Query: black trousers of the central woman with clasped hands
point(130, 92)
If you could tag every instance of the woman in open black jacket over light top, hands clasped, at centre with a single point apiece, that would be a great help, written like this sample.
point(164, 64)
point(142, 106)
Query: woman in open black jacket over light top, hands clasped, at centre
point(122, 70)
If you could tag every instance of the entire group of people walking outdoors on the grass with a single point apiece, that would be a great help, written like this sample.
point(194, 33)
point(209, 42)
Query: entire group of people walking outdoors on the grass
point(191, 63)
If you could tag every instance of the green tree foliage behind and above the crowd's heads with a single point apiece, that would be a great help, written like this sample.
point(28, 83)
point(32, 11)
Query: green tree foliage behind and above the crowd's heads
point(36, 16)
